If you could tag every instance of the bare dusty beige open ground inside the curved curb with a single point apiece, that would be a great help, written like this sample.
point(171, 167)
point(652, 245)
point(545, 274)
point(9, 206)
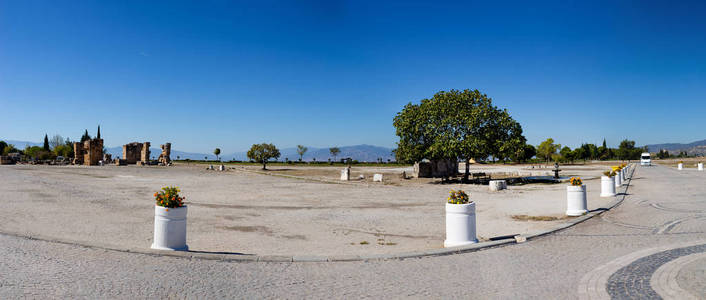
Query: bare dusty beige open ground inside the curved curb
point(241, 211)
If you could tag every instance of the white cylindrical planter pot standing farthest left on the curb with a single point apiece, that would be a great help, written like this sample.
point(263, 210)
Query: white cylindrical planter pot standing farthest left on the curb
point(170, 228)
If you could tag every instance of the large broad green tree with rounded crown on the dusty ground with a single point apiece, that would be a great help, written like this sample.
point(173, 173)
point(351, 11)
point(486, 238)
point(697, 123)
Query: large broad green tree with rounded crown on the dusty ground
point(456, 124)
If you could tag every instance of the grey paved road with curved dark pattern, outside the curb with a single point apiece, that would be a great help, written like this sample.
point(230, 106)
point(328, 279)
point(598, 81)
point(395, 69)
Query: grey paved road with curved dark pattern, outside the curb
point(666, 210)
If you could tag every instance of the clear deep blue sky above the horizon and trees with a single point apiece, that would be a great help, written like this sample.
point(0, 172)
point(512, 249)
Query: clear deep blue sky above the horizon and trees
point(219, 74)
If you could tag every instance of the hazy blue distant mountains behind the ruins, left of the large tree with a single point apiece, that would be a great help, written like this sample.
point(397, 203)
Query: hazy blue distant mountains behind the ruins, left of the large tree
point(362, 153)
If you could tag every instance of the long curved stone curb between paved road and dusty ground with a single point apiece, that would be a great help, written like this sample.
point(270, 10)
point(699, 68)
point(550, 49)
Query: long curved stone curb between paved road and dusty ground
point(335, 258)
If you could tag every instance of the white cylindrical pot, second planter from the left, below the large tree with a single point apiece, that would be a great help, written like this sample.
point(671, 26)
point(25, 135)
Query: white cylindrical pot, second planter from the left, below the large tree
point(460, 224)
